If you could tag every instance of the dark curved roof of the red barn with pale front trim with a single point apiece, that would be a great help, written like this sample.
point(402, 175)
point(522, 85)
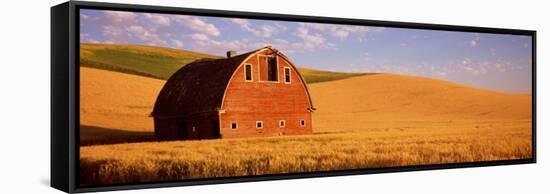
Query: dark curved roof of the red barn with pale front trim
point(200, 86)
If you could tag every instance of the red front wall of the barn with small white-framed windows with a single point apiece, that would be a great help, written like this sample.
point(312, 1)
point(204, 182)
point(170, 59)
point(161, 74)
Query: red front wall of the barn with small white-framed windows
point(248, 102)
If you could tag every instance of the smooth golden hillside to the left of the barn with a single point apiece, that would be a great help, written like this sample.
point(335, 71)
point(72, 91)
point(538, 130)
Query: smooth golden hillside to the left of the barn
point(118, 101)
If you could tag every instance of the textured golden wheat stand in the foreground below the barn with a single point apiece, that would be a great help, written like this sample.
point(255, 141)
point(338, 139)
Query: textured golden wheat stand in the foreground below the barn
point(467, 141)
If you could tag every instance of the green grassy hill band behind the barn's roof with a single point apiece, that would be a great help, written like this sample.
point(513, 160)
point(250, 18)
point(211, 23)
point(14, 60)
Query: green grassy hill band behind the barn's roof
point(161, 63)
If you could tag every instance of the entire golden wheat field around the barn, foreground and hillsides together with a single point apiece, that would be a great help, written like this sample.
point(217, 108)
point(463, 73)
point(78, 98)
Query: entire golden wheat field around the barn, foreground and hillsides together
point(390, 120)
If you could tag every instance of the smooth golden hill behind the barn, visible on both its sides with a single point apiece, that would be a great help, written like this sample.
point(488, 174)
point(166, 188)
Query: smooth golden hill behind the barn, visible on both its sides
point(121, 101)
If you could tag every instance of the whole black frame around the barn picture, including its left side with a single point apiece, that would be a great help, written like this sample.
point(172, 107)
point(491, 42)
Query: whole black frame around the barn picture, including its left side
point(65, 93)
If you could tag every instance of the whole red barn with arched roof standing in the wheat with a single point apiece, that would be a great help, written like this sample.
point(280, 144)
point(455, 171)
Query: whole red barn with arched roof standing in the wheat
point(260, 93)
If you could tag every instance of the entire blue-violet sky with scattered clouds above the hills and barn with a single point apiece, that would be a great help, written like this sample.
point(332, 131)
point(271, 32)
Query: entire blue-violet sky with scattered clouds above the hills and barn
point(491, 61)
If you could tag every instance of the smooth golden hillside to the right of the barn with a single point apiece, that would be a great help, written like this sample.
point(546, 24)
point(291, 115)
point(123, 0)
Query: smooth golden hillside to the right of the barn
point(396, 100)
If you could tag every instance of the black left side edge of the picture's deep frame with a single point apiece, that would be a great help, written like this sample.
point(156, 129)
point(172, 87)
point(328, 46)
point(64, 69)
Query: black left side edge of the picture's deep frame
point(59, 129)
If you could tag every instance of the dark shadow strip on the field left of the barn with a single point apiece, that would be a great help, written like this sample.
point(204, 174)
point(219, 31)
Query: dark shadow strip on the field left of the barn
point(91, 135)
